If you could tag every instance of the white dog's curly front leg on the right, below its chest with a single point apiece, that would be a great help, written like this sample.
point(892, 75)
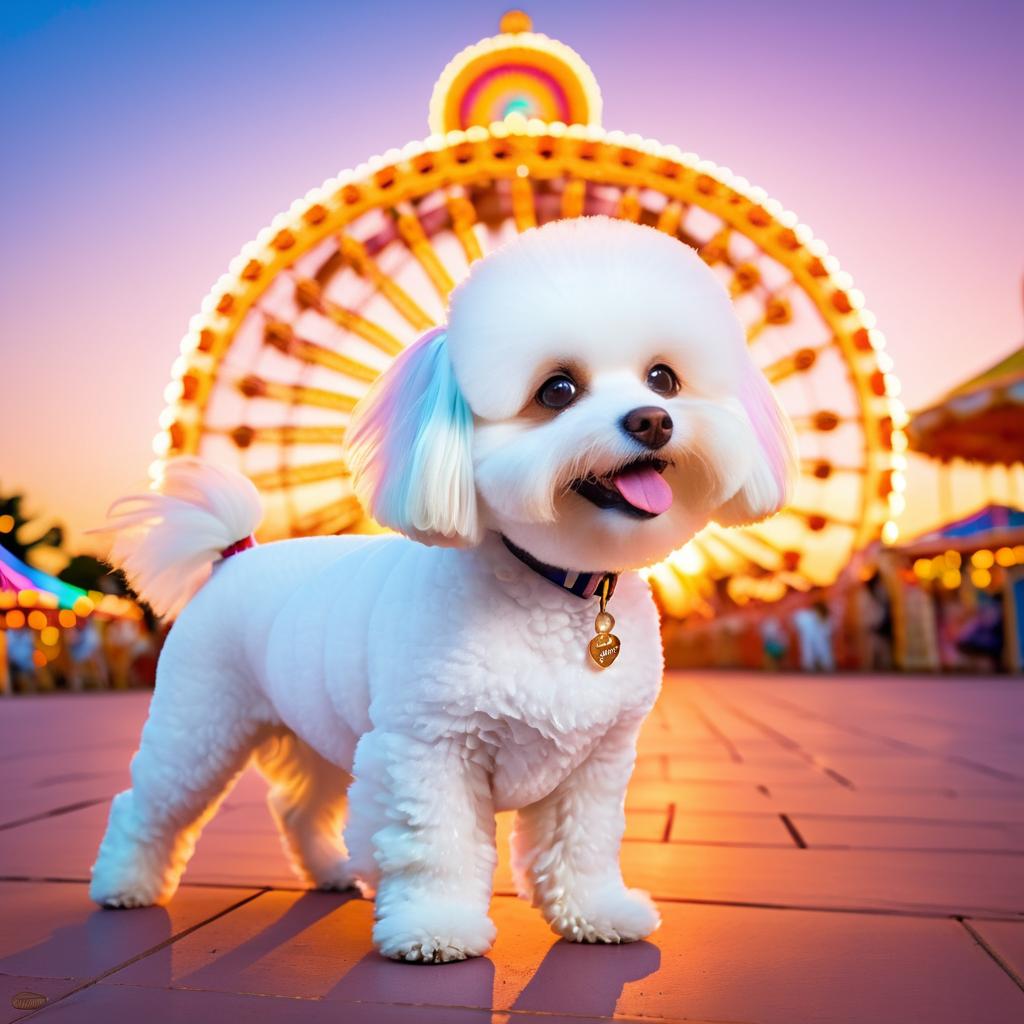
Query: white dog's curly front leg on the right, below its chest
point(566, 849)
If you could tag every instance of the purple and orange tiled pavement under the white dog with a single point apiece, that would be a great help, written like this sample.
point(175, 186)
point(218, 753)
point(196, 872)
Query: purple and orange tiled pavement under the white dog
point(823, 850)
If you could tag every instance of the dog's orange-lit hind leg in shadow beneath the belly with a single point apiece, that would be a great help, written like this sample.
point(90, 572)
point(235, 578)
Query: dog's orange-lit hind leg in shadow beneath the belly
point(308, 801)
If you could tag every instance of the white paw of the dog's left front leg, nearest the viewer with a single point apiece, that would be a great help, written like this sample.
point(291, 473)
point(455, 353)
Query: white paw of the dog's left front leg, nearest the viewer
point(433, 932)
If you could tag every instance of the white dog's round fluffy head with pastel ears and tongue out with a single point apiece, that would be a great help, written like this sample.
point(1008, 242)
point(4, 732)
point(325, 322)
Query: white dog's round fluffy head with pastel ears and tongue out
point(591, 398)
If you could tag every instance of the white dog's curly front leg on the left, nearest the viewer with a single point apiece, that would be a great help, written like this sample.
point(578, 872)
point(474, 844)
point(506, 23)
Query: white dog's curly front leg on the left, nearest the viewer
point(421, 831)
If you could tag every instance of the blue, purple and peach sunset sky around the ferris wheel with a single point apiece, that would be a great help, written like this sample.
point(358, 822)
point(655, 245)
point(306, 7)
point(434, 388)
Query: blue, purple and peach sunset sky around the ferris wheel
point(144, 143)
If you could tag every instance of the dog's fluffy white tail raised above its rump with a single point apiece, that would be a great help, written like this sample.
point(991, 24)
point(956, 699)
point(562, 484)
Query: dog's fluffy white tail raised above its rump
point(167, 541)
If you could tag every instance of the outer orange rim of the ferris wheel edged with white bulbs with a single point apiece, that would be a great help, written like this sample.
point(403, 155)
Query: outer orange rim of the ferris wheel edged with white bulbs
point(336, 203)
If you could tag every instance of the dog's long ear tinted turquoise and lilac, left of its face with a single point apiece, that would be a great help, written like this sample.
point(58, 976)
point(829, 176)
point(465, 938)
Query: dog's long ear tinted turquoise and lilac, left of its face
point(410, 449)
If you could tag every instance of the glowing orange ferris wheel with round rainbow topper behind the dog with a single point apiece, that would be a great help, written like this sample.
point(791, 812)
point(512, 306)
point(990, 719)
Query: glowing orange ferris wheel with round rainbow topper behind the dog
point(313, 311)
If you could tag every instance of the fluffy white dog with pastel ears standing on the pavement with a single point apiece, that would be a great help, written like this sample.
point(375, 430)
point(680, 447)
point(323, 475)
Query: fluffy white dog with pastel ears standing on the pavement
point(588, 408)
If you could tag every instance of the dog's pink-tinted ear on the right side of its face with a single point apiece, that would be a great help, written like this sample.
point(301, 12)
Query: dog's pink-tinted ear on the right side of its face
point(773, 478)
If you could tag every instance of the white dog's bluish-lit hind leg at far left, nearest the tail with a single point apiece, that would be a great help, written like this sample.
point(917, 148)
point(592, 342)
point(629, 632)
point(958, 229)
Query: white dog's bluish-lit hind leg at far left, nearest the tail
point(192, 752)
